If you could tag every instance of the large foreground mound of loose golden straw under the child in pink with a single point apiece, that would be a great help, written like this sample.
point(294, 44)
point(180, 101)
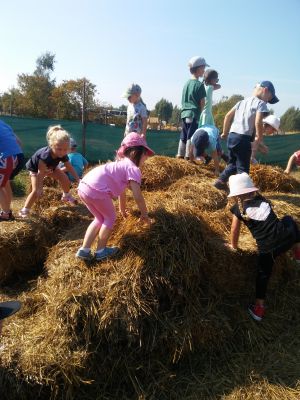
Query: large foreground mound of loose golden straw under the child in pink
point(174, 291)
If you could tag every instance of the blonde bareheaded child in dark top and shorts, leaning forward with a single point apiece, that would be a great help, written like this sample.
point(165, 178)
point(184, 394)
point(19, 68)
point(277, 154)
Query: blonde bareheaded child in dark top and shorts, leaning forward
point(45, 162)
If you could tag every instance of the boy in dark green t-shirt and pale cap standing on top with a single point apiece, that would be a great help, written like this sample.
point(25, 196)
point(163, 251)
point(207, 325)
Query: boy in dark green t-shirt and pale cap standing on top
point(192, 103)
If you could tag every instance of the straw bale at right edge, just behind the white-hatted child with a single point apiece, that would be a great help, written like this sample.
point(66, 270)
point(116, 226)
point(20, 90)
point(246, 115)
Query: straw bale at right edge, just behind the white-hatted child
point(268, 178)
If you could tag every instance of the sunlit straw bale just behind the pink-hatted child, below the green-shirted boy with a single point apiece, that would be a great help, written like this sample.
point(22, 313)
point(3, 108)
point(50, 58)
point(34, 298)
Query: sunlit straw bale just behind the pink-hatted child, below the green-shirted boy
point(159, 171)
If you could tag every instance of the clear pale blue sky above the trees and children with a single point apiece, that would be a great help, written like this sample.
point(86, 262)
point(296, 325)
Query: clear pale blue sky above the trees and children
point(114, 43)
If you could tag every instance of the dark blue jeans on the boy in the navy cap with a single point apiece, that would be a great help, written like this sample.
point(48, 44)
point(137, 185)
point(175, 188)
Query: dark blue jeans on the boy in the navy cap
point(239, 148)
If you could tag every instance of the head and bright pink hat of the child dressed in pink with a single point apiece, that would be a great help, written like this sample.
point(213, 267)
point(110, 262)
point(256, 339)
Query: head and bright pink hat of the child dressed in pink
point(135, 147)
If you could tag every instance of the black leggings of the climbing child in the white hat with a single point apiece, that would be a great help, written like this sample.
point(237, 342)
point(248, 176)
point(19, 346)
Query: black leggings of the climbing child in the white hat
point(266, 260)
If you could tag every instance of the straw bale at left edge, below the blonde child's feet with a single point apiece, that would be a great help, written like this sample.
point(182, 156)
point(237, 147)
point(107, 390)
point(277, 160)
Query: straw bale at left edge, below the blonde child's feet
point(23, 246)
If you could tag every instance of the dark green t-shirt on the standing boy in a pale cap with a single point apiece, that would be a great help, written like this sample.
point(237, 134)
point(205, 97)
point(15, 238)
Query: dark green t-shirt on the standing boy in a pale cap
point(192, 93)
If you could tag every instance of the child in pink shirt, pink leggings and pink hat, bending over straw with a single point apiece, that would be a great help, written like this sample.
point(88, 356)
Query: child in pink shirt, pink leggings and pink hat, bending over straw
point(102, 184)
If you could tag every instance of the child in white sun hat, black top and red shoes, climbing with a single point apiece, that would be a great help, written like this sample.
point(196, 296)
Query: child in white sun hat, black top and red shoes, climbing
point(273, 236)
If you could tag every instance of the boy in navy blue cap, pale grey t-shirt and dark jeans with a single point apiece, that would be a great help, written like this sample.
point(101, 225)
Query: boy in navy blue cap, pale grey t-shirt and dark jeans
point(244, 124)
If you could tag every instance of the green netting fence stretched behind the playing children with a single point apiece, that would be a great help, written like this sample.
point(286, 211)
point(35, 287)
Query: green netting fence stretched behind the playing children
point(103, 140)
